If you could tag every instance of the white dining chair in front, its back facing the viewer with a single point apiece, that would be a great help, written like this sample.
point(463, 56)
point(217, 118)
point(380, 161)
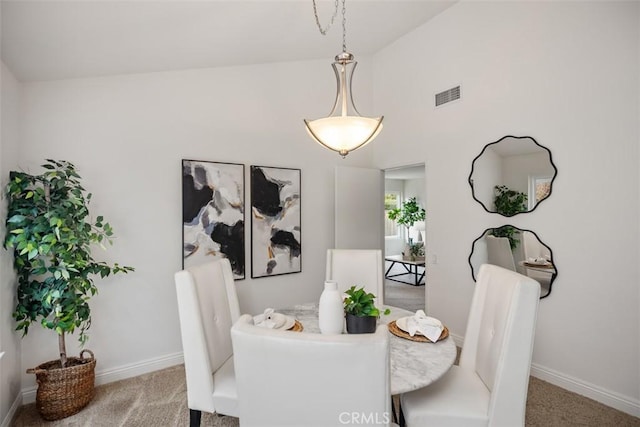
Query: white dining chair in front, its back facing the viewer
point(288, 378)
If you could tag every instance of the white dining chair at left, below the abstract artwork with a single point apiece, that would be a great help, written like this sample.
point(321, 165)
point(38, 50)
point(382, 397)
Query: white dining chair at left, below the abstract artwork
point(208, 307)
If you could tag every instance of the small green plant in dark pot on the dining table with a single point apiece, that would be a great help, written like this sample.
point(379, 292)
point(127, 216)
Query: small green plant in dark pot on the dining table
point(360, 311)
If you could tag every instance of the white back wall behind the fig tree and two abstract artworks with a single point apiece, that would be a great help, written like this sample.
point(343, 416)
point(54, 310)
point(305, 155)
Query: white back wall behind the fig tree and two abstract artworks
point(127, 136)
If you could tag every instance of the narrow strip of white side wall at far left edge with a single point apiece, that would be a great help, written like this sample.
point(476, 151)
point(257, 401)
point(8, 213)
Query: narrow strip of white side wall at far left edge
point(10, 366)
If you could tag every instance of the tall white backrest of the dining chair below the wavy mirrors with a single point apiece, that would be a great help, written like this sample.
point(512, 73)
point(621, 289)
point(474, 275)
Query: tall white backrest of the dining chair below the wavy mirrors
point(498, 343)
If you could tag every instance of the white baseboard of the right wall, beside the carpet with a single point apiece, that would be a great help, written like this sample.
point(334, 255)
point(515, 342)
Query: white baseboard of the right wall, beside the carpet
point(606, 397)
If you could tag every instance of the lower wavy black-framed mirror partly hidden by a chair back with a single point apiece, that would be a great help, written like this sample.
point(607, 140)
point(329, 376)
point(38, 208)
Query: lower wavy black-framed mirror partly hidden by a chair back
point(515, 249)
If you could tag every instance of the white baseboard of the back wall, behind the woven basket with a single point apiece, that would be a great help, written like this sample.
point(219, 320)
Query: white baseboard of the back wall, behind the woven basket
point(120, 373)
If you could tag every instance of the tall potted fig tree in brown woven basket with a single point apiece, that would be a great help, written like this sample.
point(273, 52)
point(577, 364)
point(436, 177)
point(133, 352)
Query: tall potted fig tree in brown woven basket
point(49, 229)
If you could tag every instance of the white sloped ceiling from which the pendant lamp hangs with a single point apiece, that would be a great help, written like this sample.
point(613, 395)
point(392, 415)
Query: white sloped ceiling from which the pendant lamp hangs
point(53, 39)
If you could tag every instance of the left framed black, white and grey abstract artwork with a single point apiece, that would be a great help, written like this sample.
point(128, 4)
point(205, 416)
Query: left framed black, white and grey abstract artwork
point(213, 213)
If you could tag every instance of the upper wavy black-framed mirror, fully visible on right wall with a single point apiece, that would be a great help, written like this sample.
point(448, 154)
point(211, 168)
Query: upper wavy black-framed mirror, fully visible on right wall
point(512, 175)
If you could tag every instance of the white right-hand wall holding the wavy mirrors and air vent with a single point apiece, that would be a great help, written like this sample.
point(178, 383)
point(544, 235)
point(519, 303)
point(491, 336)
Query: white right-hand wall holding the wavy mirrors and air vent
point(567, 74)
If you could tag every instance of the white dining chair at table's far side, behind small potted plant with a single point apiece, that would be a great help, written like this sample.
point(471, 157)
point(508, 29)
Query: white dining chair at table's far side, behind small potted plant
point(357, 267)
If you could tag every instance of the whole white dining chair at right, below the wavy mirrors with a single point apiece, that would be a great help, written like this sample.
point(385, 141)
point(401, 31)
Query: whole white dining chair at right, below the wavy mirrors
point(489, 387)
